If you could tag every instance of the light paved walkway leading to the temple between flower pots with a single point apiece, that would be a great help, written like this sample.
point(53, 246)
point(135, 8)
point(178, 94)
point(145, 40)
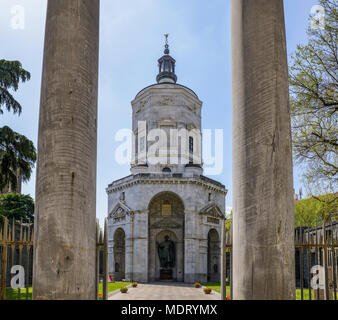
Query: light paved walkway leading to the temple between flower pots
point(165, 291)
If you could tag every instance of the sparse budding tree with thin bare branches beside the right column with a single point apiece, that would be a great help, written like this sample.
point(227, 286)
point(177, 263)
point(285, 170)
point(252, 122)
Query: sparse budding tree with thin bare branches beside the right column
point(314, 103)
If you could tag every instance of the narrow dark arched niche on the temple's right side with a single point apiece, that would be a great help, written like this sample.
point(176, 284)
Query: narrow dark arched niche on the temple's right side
point(213, 256)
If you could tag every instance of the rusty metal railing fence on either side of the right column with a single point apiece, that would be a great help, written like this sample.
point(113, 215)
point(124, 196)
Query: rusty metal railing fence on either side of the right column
point(316, 262)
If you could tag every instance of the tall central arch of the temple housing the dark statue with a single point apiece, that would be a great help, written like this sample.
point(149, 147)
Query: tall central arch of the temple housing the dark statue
point(166, 219)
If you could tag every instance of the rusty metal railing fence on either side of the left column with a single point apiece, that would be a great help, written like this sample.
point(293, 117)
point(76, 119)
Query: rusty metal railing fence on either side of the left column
point(16, 252)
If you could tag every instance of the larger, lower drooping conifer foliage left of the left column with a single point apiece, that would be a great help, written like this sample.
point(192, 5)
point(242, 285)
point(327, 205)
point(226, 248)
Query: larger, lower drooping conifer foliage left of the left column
point(17, 157)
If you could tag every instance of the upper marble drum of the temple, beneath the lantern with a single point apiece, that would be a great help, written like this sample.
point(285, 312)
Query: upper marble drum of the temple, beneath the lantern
point(165, 106)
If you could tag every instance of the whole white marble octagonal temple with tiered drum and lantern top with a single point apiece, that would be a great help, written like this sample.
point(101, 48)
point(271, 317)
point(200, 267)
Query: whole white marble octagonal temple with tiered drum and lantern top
point(165, 218)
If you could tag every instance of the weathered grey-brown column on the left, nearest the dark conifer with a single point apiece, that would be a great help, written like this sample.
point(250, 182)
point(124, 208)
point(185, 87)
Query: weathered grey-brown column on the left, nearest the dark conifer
point(65, 214)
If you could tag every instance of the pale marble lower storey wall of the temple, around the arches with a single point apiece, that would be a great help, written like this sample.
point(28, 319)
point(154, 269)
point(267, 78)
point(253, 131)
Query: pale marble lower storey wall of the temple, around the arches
point(194, 214)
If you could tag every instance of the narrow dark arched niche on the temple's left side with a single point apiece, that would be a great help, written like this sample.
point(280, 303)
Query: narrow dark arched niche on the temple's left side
point(119, 254)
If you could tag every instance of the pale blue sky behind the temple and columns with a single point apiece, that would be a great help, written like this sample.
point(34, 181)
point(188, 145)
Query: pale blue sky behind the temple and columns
point(131, 41)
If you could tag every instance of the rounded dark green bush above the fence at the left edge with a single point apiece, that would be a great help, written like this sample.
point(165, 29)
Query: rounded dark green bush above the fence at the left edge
point(17, 206)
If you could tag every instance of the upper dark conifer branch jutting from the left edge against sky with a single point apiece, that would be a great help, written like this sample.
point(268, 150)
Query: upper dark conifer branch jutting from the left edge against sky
point(11, 73)
